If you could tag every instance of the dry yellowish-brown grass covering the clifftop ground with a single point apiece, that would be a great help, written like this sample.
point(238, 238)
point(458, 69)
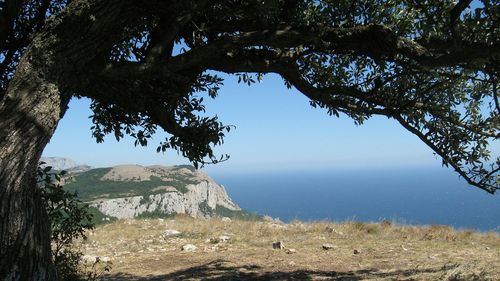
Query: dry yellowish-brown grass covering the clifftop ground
point(383, 251)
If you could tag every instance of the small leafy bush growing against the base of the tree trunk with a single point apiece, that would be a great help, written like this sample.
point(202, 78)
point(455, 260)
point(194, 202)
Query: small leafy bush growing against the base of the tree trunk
point(69, 220)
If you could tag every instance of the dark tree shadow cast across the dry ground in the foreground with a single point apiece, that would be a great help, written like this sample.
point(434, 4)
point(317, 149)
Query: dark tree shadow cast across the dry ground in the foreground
point(219, 270)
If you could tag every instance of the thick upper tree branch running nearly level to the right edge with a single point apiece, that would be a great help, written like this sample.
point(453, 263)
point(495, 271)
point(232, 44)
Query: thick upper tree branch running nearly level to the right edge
point(375, 41)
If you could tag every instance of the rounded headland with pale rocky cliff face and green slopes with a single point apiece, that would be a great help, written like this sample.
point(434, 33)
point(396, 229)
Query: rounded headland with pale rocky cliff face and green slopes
point(128, 191)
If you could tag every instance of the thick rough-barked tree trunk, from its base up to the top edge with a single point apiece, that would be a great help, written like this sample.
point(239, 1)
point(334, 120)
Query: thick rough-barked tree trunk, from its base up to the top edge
point(51, 70)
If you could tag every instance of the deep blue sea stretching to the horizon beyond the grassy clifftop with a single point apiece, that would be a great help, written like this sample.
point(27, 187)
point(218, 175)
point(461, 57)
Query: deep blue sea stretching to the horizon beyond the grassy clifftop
point(410, 196)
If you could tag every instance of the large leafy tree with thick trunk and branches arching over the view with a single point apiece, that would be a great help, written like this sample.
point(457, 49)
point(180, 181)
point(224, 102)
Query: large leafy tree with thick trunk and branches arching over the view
point(432, 66)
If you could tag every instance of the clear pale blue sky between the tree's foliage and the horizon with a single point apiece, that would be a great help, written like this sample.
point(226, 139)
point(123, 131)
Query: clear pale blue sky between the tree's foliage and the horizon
point(276, 129)
